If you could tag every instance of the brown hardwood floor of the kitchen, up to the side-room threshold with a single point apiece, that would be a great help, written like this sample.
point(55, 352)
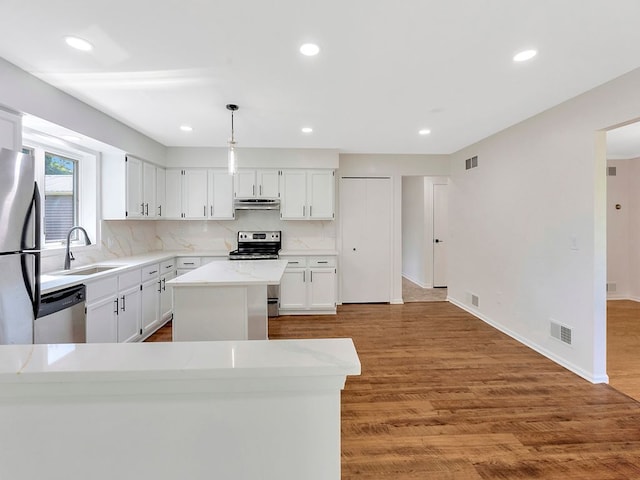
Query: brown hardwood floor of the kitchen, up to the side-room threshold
point(444, 396)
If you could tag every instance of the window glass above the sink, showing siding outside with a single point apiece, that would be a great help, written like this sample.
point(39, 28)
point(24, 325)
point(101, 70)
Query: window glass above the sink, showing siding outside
point(60, 197)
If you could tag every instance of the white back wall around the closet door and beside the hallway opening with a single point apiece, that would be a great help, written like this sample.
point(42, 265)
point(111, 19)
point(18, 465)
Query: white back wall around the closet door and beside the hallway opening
point(395, 167)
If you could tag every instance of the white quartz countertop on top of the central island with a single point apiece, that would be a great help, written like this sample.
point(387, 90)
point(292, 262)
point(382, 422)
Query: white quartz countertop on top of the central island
point(236, 272)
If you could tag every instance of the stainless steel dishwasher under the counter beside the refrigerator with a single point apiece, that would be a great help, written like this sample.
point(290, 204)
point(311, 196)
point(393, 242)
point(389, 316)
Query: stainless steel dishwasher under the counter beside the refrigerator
point(61, 317)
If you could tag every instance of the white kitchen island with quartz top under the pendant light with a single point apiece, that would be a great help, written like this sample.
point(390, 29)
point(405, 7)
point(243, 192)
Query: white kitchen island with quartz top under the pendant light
point(224, 300)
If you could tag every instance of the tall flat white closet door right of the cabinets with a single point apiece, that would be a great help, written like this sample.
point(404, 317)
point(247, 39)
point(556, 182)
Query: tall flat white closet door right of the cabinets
point(365, 212)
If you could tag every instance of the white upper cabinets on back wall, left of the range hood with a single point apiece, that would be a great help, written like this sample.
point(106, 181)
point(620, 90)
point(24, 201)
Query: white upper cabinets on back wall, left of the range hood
point(199, 193)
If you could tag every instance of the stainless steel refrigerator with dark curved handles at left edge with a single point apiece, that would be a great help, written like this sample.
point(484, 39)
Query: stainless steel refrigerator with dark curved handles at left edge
point(19, 247)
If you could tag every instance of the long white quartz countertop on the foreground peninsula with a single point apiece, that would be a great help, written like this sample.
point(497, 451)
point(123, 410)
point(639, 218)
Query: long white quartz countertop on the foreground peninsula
point(60, 363)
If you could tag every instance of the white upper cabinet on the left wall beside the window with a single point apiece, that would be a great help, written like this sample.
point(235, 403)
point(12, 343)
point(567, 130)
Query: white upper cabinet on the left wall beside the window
point(130, 188)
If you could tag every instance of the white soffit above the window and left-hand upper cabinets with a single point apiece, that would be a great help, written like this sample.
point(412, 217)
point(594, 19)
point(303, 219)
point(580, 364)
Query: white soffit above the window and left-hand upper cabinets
point(25, 93)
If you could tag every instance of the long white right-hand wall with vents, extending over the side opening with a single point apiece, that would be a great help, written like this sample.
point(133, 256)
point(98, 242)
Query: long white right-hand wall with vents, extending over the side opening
point(528, 226)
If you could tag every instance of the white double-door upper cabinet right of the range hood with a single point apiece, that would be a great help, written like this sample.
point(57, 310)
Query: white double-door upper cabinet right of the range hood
point(307, 194)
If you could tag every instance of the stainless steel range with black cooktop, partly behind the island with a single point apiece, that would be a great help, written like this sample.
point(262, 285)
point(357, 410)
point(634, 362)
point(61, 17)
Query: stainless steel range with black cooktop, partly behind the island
point(261, 246)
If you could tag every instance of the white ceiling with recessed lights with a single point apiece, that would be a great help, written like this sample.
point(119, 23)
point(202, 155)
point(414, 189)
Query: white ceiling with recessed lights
point(385, 70)
